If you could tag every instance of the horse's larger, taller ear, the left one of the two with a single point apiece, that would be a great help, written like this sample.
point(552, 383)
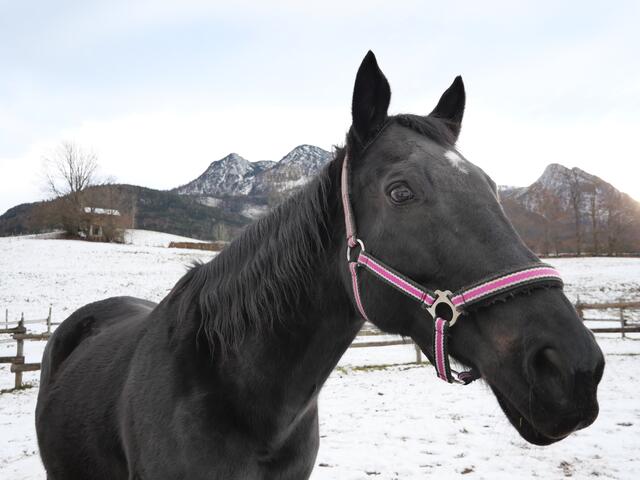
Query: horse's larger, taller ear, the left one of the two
point(371, 95)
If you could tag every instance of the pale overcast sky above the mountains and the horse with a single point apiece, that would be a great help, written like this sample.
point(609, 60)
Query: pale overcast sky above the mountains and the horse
point(160, 89)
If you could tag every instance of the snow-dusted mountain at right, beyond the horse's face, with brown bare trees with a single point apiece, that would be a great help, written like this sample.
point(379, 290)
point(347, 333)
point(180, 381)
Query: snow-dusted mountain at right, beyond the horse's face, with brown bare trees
point(568, 210)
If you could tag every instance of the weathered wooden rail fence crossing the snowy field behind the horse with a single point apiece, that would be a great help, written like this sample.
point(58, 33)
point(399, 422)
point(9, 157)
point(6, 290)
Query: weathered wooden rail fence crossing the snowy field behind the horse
point(363, 340)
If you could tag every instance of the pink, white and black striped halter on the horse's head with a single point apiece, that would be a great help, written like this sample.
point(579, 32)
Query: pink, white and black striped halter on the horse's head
point(479, 293)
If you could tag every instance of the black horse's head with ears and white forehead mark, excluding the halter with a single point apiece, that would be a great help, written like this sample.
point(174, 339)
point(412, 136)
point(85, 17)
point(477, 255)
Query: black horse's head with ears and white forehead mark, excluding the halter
point(431, 214)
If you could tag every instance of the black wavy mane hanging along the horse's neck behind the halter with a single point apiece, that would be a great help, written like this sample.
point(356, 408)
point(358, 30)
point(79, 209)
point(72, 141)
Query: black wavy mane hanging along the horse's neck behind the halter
point(266, 271)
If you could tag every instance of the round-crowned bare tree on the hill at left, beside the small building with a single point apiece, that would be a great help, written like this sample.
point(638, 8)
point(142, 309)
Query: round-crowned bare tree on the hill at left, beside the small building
point(68, 172)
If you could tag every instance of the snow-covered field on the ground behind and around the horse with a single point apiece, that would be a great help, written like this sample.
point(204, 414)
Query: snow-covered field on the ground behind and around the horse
point(378, 420)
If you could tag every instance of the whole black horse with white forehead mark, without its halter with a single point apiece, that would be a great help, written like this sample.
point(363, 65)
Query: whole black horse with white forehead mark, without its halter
point(220, 380)
